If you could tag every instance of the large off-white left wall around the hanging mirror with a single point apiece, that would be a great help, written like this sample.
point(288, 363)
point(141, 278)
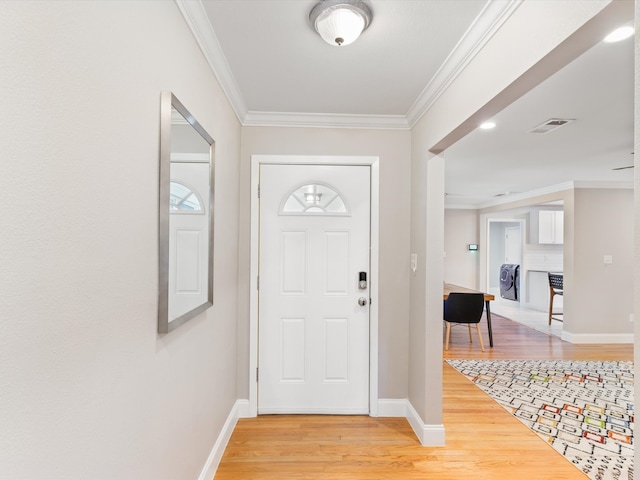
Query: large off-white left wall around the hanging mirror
point(88, 389)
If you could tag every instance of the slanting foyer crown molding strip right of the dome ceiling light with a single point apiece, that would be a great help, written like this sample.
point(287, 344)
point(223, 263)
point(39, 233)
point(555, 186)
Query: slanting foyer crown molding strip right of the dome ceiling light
point(493, 15)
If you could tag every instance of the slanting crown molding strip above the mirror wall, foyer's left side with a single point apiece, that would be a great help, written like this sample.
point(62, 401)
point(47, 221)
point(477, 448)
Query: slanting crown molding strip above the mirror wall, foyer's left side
point(198, 22)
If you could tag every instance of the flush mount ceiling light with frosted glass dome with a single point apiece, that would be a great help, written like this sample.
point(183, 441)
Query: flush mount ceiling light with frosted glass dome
point(340, 22)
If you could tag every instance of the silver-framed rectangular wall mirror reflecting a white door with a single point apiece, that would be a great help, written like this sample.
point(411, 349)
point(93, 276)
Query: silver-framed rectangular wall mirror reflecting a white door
point(185, 216)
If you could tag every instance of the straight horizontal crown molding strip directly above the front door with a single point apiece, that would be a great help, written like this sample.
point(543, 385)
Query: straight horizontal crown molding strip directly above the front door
point(285, 119)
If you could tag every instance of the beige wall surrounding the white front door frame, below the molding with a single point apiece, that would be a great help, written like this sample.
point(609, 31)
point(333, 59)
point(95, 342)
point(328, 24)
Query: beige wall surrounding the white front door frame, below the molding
point(393, 148)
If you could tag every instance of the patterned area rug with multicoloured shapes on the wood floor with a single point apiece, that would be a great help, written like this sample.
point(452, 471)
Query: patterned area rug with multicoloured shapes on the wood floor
point(584, 410)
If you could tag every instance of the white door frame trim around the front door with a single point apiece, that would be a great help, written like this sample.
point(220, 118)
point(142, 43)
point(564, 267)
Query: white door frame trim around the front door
point(256, 161)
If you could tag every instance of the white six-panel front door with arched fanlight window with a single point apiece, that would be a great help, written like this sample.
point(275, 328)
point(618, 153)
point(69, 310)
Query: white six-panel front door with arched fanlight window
point(313, 311)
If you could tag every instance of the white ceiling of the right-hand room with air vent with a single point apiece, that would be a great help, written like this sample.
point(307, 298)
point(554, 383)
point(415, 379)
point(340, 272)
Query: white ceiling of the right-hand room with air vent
point(596, 90)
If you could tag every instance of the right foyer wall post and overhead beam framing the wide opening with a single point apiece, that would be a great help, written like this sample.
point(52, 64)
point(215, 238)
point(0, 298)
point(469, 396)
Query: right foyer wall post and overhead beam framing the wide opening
point(486, 85)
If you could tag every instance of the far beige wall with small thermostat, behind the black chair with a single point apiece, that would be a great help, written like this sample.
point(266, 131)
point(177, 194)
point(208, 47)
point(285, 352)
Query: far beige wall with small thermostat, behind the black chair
point(460, 264)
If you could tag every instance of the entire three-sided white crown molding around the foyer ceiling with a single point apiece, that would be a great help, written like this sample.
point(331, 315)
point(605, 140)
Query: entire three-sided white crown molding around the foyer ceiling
point(494, 14)
